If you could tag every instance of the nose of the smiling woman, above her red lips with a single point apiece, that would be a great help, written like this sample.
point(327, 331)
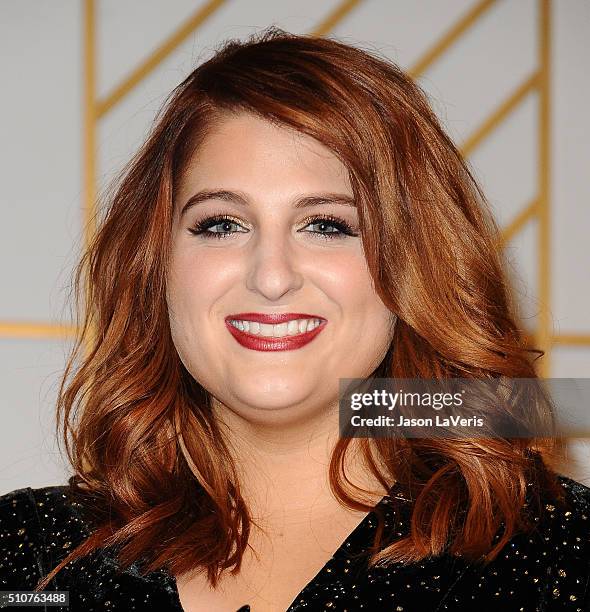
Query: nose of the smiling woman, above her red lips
point(273, 267)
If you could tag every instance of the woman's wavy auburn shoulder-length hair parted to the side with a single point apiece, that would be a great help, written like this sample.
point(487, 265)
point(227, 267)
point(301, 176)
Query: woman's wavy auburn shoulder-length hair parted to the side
point(150, 463)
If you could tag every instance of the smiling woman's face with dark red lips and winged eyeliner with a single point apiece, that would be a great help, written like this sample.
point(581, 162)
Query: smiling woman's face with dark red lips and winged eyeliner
point(285, 242)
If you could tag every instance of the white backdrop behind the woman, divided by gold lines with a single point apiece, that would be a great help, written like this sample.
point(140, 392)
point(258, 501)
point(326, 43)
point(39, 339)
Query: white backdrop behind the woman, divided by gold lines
point(42, 157)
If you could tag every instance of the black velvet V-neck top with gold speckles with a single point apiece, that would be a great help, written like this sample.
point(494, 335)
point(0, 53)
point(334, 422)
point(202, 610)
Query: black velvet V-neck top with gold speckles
point(546, 570)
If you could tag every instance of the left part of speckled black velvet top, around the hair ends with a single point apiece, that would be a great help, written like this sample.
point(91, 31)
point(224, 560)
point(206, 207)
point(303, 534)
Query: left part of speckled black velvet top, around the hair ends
point(40, 527)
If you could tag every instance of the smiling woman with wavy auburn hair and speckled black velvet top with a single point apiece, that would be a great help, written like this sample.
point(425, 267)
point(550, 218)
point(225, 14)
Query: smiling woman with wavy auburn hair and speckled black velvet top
point(297, 216)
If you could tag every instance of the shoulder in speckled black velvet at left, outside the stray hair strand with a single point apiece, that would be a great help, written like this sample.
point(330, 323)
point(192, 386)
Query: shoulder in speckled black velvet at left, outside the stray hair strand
point(37, 527)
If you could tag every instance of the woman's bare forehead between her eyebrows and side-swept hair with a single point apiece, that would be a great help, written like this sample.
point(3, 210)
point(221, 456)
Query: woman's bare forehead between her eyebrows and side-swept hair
point(246, 151)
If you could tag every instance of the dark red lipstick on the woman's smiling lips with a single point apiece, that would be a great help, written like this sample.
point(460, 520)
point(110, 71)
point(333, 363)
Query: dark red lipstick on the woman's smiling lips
point(265, 343)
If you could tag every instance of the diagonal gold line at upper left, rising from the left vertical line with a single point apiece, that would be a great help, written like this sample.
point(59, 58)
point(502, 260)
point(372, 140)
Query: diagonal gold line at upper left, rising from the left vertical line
point(157, 56)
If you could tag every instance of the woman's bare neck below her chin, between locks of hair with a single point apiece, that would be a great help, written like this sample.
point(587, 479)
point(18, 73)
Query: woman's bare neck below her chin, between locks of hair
point(284, 470)
